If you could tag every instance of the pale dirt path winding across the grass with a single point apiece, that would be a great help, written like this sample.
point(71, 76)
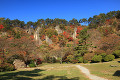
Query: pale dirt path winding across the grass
point(87, 73)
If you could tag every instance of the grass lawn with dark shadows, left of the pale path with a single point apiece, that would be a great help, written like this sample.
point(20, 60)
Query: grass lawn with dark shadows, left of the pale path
point(45, 72)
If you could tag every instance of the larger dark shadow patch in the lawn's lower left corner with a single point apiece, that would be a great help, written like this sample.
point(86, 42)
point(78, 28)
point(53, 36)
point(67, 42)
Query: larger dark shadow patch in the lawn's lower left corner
point(21, 75)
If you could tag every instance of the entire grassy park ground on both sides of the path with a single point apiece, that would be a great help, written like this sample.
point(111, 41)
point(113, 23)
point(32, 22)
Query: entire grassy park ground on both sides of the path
point(65, 72)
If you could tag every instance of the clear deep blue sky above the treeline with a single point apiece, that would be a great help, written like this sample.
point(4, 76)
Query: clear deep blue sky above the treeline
point(31, 10)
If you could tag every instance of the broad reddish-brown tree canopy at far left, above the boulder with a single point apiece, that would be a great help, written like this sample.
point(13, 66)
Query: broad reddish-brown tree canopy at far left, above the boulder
point(22, 47)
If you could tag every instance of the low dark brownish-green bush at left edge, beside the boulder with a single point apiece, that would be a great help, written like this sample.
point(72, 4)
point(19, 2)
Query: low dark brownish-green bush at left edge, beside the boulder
point(6, 67)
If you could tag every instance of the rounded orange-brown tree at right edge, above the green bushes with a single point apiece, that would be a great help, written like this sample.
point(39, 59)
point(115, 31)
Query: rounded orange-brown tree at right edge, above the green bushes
point(109, 43)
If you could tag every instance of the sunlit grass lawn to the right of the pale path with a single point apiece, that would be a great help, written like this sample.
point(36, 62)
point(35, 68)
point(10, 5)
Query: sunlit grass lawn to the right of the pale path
point(105, 70)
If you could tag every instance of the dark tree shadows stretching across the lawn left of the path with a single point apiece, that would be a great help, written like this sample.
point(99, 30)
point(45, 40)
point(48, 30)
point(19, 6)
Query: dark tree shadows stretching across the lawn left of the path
point(26, 75)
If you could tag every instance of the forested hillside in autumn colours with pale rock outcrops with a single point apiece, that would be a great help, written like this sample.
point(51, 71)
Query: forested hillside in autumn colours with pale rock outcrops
point(59, 40)
